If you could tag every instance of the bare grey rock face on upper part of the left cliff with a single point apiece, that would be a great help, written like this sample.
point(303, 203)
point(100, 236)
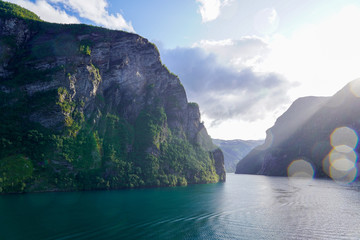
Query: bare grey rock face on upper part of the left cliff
point(123, 74)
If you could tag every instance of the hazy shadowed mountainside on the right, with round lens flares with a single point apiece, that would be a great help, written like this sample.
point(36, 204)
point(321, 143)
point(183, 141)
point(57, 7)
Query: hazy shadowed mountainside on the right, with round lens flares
point(312, 130)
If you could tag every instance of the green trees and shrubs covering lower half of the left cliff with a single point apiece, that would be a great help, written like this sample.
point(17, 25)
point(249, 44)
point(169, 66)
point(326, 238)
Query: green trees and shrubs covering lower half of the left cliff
point(114, 154)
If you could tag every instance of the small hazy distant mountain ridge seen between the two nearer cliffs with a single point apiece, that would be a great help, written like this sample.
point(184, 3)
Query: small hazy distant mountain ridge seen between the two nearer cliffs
point(235, 150)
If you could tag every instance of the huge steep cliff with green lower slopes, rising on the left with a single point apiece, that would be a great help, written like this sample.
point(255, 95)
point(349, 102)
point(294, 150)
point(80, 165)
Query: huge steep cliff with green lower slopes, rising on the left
point(89, 108)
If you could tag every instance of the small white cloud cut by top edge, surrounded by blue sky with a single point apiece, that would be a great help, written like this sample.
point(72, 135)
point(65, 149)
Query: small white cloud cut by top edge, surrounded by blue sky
point(210, 9)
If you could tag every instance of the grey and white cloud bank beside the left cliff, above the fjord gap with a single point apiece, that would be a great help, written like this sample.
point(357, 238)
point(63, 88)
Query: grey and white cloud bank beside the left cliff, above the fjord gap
point(230, 93)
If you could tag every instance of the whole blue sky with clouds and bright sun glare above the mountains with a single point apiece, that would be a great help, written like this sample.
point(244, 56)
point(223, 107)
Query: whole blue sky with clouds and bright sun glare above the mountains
point(243, 61)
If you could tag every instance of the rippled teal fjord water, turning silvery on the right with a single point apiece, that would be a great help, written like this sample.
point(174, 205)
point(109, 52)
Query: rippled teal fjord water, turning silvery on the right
point(245, 207)
